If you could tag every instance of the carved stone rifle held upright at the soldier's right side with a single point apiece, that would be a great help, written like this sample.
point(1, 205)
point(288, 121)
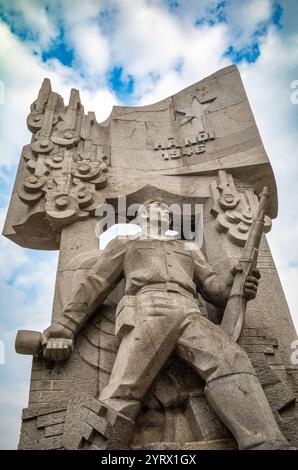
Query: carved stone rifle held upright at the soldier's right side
point(234, 314)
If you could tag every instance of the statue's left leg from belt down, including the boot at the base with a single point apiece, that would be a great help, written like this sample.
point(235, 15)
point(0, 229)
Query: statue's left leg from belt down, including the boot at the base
point(143, 351)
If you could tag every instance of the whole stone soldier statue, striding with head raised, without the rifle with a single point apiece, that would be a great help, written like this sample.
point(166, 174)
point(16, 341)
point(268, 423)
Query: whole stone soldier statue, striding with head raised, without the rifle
point(159, 316)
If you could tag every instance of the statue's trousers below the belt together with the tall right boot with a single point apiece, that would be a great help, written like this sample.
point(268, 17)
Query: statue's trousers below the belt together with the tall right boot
point(154, 325)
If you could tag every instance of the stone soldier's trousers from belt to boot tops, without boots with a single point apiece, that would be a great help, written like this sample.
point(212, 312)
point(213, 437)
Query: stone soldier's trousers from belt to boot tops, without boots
point(155, 324)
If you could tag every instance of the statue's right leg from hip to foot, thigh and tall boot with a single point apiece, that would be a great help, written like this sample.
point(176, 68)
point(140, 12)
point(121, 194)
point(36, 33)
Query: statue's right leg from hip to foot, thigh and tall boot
point(232, 388)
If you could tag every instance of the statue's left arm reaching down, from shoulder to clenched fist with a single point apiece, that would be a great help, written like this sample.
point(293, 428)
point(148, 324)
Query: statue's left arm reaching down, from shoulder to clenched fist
point(86, 296)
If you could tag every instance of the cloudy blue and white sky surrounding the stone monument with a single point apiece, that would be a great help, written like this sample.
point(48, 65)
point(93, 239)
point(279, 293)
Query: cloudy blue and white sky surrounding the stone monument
point(135, 52)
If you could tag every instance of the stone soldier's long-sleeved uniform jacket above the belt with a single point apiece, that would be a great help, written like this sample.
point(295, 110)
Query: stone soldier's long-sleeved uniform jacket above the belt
point(168, 264)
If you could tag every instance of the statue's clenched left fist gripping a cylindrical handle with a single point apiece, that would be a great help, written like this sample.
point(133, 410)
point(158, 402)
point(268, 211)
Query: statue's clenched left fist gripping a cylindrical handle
point(57, 342)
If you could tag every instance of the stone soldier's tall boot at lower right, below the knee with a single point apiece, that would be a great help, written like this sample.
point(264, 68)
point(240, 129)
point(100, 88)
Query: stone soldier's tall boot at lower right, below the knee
point(241, 404)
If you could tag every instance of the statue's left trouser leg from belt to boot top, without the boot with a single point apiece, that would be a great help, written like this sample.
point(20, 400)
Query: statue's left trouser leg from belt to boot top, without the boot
point(143, 351)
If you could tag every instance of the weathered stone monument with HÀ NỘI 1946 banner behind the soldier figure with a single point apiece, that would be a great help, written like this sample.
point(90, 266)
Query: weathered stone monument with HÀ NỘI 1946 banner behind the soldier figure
point(199, 146)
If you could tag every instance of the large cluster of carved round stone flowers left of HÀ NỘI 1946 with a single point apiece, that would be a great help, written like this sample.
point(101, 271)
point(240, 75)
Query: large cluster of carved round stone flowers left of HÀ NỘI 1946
point(66, 185)
